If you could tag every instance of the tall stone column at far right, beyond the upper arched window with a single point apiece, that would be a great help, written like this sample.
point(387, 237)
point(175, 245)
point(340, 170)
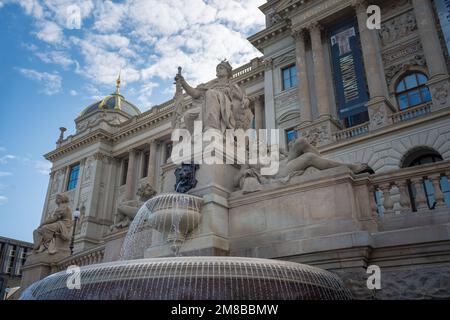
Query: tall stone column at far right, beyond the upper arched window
point(437, 68)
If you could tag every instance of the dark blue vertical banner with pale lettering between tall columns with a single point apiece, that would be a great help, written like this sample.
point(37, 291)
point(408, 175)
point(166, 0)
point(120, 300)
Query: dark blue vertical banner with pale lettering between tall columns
point(350, 84)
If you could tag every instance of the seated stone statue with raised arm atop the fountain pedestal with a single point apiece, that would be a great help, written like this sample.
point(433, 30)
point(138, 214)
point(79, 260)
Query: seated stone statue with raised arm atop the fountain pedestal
point(221, 105)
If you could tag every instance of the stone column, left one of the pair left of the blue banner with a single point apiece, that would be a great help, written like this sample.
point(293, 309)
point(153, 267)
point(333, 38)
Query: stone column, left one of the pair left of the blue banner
point(302, 76)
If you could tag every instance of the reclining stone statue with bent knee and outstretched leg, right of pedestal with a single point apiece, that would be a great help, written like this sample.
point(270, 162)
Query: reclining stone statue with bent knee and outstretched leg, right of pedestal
point(301, 156)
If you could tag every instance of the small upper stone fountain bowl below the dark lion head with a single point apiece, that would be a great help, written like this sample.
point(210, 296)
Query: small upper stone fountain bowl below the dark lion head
point(181, 213)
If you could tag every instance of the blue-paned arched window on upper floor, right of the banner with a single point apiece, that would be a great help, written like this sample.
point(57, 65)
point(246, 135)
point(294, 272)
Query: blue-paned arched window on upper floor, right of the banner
point(412, 91)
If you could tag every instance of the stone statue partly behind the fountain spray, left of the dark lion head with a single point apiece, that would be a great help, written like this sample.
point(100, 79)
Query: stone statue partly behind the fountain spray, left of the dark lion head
point(127, 210)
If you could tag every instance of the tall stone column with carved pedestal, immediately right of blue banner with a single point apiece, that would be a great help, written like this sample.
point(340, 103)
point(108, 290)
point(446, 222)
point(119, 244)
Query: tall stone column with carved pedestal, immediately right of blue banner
point(379, 106)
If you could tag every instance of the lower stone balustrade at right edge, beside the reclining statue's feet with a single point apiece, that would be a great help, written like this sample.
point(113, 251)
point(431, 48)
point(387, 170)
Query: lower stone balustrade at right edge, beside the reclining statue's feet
point(415, 189)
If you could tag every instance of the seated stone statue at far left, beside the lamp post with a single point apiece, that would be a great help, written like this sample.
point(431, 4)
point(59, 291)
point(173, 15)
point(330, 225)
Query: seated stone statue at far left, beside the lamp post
point(55, 231)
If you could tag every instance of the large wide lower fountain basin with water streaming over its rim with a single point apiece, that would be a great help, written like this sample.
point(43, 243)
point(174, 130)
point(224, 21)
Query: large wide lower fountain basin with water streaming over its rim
point(194, 278)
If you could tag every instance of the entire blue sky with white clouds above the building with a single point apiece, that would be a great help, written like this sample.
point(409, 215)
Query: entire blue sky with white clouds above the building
point(59, 56)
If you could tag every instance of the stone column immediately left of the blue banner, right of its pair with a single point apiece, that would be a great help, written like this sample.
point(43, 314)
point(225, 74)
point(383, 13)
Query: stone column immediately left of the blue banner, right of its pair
point(323, 100)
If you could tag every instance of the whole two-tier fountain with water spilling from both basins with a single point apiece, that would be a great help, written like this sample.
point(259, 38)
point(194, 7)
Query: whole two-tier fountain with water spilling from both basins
point(175, 216)
